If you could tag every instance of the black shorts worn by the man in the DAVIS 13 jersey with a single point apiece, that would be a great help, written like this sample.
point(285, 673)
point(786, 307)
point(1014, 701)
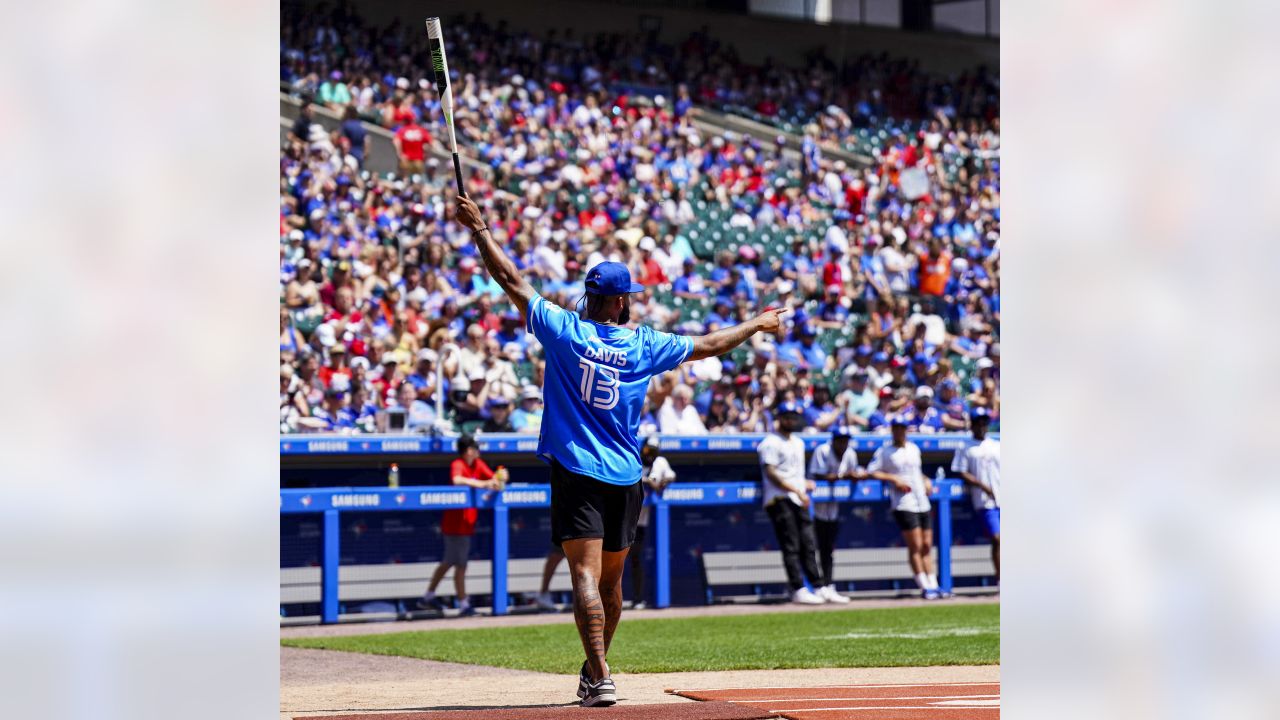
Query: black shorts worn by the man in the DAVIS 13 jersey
point(586, 508)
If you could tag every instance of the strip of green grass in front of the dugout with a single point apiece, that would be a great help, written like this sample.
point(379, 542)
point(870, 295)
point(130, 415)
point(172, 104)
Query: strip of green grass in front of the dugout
point(939, 635)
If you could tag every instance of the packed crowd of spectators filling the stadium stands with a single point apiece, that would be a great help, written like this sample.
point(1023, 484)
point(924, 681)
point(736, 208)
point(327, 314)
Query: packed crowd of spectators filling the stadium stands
point(388, 320)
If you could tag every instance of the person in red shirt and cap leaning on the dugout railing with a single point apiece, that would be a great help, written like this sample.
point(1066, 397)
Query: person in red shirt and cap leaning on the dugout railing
point(459, 526)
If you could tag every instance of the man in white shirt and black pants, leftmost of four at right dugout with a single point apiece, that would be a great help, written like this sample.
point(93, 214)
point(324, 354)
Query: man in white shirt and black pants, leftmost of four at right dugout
point(787, 500)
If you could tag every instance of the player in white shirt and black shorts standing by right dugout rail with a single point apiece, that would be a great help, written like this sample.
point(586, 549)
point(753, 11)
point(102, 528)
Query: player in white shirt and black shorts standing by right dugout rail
point(899, 464)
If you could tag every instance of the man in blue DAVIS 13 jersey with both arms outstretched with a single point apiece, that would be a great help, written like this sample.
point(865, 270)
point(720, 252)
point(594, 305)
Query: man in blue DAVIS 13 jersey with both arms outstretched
point(596, 381)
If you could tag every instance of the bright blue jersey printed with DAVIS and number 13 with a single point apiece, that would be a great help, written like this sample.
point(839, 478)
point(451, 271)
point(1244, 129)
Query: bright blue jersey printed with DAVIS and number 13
point(596, 381)
